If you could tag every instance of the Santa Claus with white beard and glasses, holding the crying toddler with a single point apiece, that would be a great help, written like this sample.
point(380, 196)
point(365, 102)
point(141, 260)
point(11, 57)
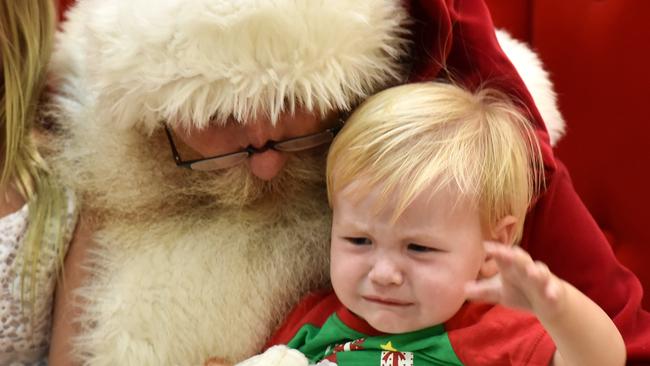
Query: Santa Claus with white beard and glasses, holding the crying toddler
point(195, 133)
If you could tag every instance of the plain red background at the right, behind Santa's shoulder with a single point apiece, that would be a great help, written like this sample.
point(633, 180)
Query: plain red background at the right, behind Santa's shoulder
point(598, 54)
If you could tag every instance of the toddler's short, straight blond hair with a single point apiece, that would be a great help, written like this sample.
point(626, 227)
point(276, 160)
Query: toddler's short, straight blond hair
point(414, 137)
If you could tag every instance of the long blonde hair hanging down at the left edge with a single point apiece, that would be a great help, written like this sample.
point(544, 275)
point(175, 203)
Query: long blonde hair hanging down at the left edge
point(26, 32)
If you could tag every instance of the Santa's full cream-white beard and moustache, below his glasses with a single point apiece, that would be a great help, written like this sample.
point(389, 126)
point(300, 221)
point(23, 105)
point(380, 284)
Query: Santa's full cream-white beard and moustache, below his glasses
point(189, 265)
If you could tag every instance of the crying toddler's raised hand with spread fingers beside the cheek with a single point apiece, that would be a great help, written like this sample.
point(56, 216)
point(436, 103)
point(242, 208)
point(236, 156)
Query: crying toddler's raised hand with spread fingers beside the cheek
point(521, 282)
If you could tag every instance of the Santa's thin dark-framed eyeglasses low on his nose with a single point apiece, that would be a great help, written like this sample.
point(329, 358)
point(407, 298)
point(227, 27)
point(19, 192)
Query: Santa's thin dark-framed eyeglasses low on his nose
point(224, 161)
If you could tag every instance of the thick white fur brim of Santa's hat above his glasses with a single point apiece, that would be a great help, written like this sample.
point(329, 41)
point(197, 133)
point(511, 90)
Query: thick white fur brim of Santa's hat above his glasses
point(192, 62)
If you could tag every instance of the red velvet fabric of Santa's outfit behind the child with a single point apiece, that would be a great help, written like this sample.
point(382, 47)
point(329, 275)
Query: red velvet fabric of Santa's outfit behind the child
point(559, 229)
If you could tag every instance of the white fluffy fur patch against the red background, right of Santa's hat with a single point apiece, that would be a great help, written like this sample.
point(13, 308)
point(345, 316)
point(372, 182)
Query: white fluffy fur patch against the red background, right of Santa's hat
point(538, 82)
